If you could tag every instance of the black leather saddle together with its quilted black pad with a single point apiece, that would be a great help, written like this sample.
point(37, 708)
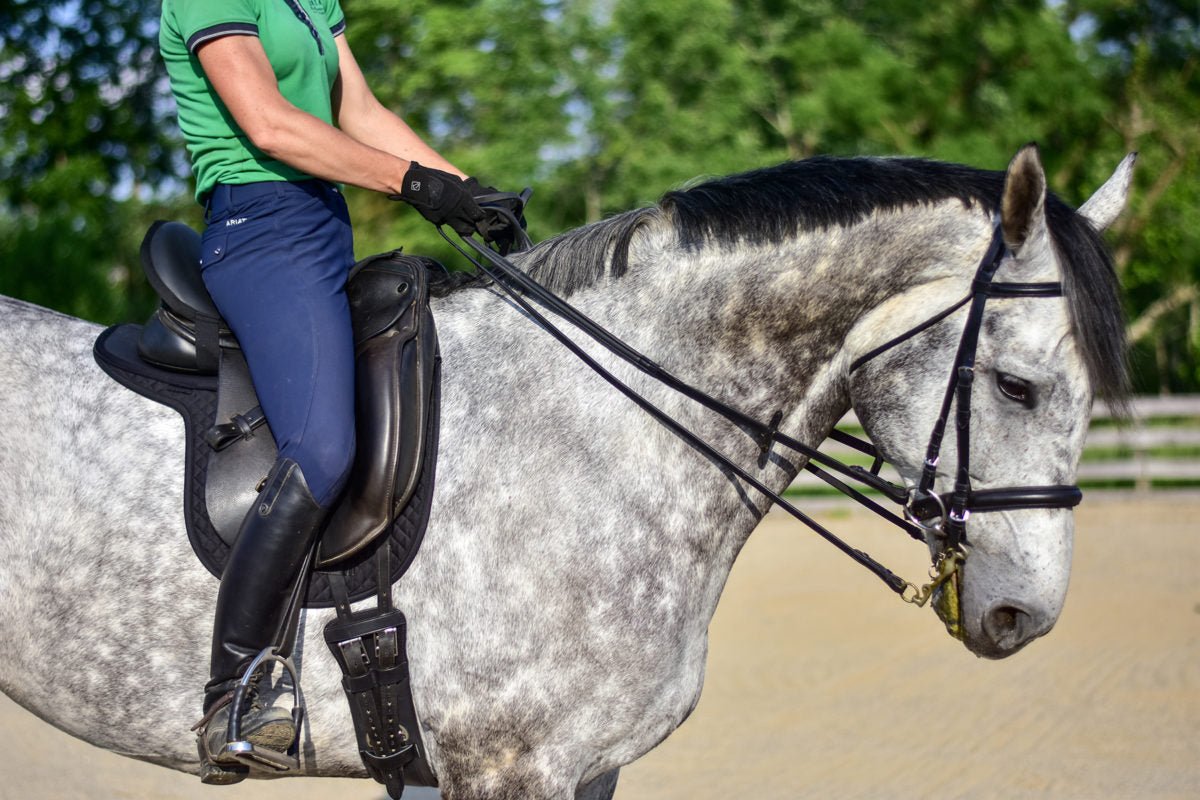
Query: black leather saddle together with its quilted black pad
point(185, 358)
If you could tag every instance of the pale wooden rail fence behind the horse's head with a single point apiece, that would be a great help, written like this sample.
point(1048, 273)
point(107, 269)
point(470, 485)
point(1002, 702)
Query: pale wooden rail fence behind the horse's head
point(1162, 443)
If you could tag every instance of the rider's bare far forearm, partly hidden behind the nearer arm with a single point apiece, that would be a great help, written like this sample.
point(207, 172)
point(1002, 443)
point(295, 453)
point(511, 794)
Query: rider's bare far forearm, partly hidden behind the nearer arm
point(362, 116)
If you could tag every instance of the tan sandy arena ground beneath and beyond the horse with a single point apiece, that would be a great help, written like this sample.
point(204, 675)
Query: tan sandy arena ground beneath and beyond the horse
point(821, 684)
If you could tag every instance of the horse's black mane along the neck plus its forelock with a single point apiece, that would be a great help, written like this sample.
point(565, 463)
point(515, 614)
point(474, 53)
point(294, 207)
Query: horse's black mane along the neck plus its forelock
point(770, 206)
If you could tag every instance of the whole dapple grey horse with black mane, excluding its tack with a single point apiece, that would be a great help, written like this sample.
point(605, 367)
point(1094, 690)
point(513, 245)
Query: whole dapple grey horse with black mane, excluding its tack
point(559, 611)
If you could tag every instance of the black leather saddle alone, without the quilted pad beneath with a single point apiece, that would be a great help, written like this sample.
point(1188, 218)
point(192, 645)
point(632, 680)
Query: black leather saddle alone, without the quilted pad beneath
point(397, 371)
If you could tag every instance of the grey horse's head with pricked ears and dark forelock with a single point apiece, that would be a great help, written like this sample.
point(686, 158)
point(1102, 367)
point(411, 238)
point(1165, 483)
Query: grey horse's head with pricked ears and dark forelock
point(1040, 362)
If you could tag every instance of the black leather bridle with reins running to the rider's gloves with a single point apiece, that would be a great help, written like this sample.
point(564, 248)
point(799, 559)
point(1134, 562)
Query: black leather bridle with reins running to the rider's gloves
point(926, 513)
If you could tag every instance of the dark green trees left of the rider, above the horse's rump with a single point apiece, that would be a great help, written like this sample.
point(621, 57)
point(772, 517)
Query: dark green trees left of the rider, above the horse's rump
point(81, 98)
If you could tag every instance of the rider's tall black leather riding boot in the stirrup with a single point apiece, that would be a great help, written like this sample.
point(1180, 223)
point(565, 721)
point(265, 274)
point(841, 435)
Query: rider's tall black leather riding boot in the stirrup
point(265, 570)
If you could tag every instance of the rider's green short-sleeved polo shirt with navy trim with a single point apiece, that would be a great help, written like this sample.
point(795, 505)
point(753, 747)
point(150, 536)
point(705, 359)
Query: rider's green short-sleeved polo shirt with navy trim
point(298, 38)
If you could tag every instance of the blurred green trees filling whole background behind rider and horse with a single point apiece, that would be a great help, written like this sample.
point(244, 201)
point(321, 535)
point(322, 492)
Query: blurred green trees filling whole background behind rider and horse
point(605, 105)
